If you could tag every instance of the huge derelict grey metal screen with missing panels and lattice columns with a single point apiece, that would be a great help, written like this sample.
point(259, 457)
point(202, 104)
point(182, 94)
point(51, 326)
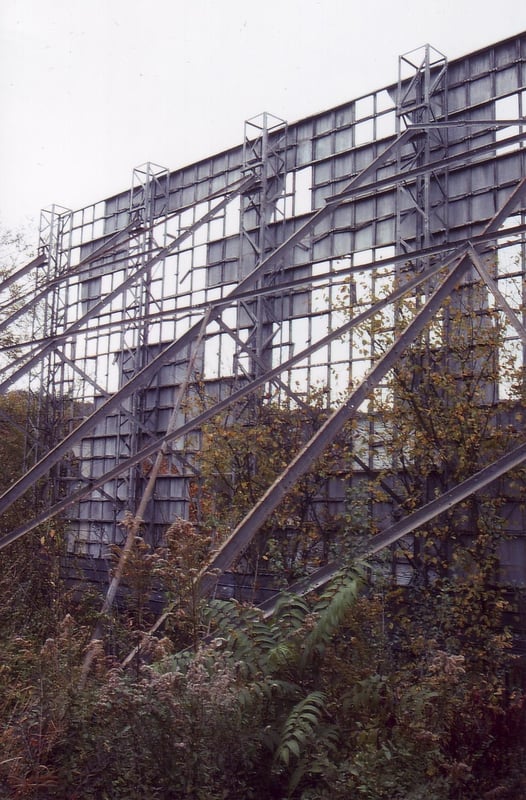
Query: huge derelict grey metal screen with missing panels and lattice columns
point(228, 275)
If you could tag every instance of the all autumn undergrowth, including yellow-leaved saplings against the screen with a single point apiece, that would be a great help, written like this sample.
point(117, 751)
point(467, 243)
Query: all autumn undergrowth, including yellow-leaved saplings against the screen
point(374, 687)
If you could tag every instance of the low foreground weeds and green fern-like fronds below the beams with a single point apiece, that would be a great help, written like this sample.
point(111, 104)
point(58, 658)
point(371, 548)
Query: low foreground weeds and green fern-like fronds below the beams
point(314, 702)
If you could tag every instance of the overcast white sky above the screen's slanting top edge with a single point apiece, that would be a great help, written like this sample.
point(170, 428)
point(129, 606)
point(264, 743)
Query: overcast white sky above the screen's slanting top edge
point(90, 89)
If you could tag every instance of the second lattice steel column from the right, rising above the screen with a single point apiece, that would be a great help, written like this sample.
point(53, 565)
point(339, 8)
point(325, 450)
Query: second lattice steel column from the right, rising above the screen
point(261, 230)
